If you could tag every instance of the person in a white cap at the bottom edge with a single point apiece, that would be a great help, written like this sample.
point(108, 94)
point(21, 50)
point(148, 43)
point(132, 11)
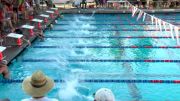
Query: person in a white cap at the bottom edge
point(104, 94)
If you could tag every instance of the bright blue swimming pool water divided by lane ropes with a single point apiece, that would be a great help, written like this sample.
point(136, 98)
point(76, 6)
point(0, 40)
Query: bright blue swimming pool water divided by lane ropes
point(100, 49)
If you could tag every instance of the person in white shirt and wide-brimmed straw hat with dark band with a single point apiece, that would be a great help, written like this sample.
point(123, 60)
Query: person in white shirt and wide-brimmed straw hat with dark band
point(37, 86)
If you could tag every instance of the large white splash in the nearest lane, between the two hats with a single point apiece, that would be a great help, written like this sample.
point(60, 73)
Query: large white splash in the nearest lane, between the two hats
point(73, 91)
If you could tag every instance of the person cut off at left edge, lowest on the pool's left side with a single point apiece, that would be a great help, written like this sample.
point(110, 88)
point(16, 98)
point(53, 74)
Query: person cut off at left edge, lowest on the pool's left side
point(4, 69)
